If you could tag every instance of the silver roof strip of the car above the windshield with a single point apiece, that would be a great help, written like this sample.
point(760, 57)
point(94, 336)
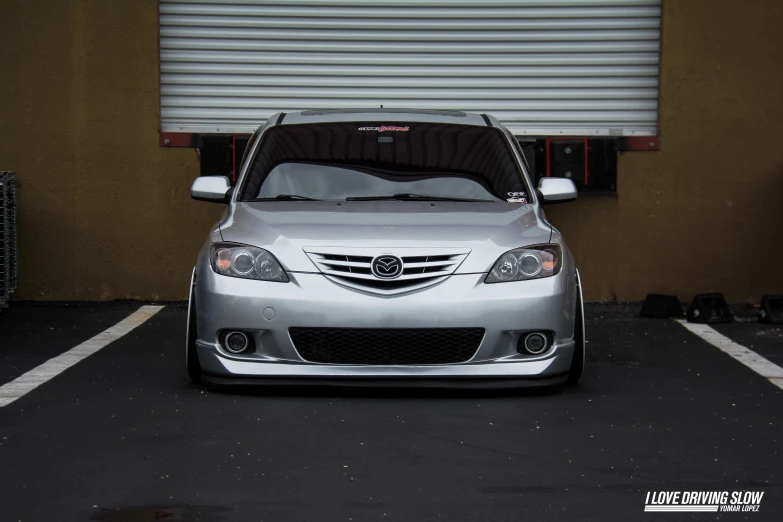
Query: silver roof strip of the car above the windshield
point(386, 115)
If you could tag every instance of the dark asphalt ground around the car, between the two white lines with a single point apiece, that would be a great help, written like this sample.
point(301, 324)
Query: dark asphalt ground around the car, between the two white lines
point(123, 434)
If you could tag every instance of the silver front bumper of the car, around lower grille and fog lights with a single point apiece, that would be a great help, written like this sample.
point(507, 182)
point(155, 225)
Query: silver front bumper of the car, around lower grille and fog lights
point(267, 310)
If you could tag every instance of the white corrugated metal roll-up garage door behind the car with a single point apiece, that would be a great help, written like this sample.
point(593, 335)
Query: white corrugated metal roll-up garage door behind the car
point(542, 67)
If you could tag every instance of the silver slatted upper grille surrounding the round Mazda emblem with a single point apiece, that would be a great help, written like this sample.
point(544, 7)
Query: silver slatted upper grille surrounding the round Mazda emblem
point(351, 267)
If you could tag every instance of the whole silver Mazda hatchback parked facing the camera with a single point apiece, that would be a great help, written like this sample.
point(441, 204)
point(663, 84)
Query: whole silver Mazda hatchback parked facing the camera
point(380, 247)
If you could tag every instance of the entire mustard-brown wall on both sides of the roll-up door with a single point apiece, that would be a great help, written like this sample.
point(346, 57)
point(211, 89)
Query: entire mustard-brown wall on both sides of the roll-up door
point(104, 212)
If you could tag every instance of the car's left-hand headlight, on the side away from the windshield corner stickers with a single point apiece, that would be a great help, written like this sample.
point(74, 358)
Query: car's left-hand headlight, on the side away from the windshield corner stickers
point(247, 262)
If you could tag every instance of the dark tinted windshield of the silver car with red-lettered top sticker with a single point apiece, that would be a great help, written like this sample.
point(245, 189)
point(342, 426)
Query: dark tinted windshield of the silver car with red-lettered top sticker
point(367, 161)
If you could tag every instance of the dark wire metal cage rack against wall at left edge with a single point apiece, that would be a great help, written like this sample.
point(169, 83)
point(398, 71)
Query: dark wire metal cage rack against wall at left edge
point(8, 237)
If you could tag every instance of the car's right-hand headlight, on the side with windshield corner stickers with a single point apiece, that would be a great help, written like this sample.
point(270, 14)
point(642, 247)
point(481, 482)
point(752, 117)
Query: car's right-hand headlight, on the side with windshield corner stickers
point(532, 262)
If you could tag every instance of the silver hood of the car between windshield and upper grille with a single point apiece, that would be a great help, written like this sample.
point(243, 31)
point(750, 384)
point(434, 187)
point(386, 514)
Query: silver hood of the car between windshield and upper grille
point(286, 228)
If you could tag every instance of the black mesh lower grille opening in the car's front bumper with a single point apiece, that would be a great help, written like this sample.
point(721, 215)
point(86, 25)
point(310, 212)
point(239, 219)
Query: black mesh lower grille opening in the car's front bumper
point(378, 346)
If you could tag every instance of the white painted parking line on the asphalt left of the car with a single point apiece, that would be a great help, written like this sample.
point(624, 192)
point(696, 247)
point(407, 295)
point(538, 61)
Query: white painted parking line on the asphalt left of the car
point(29, 381)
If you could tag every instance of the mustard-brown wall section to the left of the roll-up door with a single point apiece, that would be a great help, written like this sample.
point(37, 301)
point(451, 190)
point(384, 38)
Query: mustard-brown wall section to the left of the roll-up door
point(104, 212)
